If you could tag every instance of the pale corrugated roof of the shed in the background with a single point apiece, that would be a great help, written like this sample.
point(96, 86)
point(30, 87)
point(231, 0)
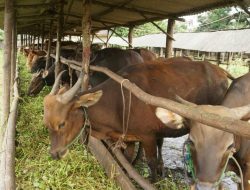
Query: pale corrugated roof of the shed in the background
point(219, 41)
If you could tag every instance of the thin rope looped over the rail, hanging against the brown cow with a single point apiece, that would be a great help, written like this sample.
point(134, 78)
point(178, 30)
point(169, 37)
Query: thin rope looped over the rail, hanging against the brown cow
point(120, 142)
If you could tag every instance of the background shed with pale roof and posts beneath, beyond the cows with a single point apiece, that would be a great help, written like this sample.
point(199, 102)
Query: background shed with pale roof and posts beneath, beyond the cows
point(196, 44)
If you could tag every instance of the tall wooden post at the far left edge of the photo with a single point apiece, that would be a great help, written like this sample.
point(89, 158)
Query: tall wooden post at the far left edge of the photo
point(7, 173)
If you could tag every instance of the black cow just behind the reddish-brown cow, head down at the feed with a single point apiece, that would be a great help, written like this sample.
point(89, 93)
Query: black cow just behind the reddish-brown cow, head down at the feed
point(112, 58)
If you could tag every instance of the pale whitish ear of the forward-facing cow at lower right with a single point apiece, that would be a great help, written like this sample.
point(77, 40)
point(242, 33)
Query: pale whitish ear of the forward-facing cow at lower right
point(170, 119)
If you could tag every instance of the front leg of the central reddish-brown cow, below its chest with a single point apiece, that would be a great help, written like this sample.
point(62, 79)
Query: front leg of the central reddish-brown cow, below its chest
point(150, 147)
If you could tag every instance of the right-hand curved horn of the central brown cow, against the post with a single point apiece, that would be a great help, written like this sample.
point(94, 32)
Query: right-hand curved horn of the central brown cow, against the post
point(69, 95)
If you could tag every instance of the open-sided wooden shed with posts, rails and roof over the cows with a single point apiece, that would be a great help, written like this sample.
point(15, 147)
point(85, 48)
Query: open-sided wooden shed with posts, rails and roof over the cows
point(48, 19)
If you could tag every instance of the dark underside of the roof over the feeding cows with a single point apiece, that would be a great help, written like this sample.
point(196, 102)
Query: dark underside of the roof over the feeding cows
point(106, 13)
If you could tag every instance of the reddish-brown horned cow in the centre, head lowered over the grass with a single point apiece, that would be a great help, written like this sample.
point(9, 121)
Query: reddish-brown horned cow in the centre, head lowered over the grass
point(65, 111)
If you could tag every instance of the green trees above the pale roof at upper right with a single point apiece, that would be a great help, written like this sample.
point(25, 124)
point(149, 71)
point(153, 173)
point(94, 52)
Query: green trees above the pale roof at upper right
point(221, 19)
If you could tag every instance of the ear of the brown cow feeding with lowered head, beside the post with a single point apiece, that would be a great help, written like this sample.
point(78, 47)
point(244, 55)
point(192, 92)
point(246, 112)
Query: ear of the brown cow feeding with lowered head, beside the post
point(87, 100)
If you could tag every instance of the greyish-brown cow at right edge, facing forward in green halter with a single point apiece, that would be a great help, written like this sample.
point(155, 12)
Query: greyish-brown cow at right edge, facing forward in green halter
point(211, 148)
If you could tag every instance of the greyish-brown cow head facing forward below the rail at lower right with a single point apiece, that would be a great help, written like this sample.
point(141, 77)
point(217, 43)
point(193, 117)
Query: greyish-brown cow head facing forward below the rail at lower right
point(210, 148)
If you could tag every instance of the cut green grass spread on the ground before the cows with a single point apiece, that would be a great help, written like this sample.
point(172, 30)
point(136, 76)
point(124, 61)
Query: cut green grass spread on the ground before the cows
point(35, 169)
